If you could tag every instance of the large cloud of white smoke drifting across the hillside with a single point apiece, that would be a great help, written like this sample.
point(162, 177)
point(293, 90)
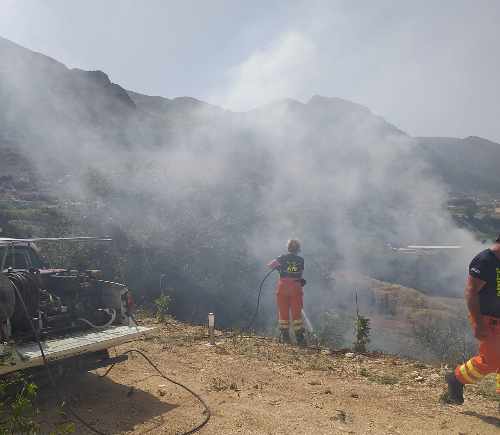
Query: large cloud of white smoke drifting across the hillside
point(341, 179)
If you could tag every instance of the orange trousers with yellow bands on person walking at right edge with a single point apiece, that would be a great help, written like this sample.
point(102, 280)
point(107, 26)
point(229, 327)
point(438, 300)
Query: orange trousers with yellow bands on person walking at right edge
point(488, 360)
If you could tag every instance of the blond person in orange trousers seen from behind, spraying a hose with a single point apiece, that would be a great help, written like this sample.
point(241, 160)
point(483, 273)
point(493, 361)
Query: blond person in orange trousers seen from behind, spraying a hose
point(289, 293)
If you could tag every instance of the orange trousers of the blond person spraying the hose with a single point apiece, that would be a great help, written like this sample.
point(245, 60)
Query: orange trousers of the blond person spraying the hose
point(289, 296)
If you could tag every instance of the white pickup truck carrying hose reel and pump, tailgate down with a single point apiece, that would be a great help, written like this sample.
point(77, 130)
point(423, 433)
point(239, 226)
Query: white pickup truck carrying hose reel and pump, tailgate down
point(77, 315)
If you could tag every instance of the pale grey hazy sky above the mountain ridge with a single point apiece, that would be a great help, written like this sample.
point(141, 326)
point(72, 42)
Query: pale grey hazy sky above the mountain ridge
point(429, 67)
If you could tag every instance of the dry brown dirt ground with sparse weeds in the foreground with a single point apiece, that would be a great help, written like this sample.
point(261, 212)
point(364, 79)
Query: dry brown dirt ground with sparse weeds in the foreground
point(260, 386)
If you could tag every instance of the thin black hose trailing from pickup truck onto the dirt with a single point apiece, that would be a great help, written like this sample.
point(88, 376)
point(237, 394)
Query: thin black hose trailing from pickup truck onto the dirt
point(56, 389)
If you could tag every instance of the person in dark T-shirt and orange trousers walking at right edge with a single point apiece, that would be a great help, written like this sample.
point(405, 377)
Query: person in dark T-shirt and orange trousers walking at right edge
point(482, 295)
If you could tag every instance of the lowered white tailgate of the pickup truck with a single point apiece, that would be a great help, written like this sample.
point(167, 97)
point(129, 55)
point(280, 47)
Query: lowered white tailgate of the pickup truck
point(29, 355)
